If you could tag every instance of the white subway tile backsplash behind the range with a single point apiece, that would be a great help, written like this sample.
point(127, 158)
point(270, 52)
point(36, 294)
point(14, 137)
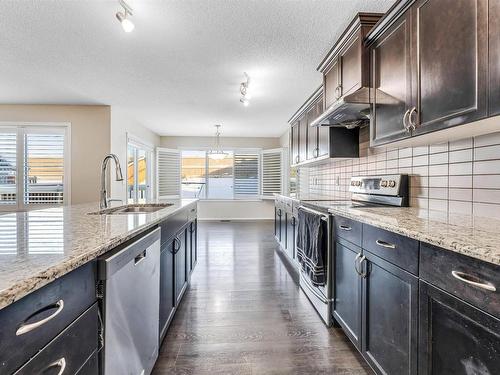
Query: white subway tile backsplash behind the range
point(458, 177)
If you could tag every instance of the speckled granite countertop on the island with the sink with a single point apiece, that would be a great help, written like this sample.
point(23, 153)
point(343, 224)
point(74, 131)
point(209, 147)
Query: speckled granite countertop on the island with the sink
point(39, 246)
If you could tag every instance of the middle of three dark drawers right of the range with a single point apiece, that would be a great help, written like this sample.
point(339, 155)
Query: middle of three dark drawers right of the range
point(399, 250)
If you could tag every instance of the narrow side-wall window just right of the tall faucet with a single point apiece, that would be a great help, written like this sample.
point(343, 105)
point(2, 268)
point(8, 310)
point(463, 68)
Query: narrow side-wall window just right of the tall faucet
point(138, 172)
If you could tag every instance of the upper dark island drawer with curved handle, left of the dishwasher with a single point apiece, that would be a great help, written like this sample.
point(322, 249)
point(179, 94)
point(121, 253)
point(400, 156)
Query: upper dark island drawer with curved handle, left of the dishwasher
point(32, 322)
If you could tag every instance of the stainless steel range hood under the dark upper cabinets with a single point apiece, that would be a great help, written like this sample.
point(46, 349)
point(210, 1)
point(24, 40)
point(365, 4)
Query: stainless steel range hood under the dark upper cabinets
point(349, 111)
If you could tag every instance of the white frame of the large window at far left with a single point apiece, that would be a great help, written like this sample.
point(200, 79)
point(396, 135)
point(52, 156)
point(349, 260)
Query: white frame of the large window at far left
point(20, 129)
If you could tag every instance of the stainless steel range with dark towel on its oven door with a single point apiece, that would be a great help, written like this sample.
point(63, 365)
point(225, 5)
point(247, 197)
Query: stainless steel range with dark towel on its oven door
point(372, 191)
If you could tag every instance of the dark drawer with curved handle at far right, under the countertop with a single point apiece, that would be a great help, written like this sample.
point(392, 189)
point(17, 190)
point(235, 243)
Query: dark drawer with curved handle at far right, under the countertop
point(467, 278)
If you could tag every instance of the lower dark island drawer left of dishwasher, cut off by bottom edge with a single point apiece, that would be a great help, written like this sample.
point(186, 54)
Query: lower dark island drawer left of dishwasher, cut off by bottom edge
point(69, 351)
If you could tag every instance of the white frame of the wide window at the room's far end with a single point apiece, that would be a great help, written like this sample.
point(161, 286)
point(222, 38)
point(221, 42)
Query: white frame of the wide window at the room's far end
point(235, 150)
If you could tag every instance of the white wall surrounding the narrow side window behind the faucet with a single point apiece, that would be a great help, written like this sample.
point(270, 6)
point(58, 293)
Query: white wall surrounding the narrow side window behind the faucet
point(123, 125)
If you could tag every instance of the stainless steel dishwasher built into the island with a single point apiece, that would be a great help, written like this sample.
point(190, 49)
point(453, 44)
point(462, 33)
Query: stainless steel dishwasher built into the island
point(130, 287)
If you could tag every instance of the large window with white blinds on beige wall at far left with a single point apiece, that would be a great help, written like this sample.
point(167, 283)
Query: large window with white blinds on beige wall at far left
point(34, 166)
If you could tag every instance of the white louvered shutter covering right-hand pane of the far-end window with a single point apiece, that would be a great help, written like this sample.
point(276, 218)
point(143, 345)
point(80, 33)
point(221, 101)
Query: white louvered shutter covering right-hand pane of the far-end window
point(246, 174)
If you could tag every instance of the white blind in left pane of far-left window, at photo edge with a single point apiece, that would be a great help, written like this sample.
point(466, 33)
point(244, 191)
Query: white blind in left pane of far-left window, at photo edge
point(8, 167)
